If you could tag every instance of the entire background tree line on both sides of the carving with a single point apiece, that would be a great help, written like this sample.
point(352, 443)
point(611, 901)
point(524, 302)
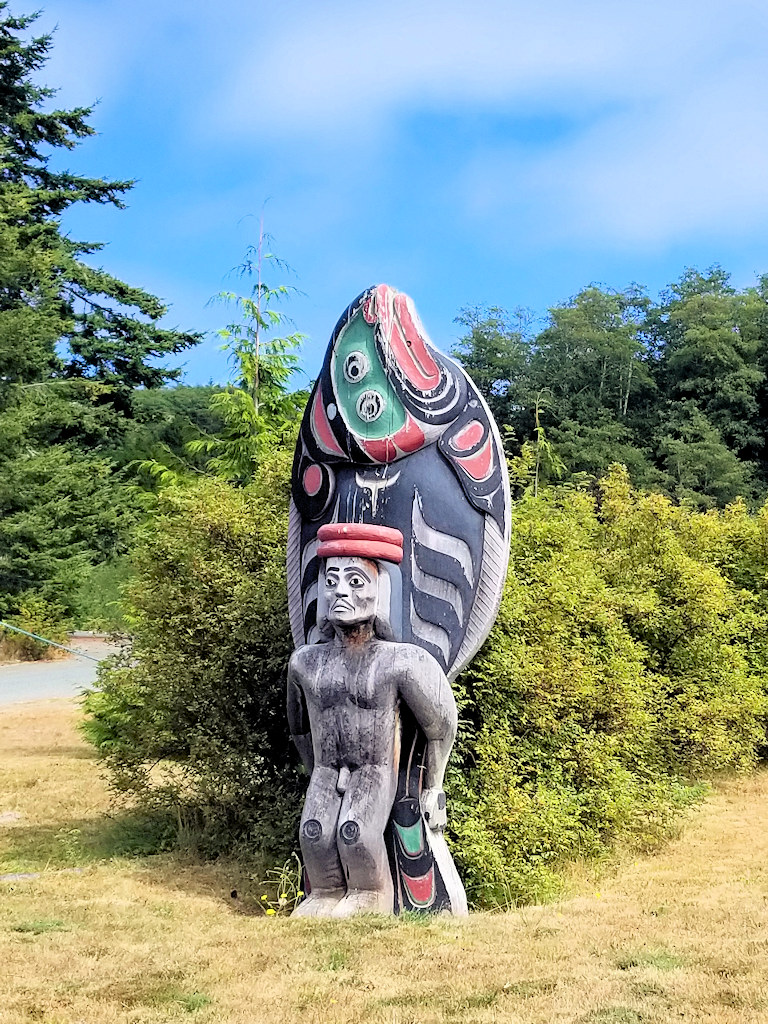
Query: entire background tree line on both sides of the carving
point(94, 421)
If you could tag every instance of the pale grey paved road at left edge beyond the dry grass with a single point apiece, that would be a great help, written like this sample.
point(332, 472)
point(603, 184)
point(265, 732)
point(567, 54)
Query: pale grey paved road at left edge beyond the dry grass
point(65, 678)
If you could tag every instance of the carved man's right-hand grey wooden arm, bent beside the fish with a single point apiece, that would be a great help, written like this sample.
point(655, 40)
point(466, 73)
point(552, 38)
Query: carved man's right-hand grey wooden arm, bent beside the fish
point(426, 691)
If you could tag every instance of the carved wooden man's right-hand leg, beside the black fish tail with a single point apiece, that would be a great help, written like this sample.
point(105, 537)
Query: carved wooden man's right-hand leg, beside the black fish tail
point(364, 817)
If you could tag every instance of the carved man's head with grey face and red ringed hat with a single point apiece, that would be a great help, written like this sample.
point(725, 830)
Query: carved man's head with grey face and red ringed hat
point(360, 580)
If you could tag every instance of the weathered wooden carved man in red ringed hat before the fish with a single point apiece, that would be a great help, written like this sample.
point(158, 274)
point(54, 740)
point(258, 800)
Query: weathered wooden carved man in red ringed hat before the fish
point(344, 706)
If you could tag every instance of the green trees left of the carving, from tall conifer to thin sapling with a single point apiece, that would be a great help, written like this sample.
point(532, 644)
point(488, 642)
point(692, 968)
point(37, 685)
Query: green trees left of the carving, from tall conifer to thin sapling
point(93, 418)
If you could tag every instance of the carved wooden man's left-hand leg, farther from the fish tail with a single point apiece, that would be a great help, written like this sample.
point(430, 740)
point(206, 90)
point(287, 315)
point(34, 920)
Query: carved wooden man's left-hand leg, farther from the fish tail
point(319, 849)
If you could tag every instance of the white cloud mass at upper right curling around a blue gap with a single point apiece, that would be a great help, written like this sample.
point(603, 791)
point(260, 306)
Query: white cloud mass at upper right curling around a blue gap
point(667, 101)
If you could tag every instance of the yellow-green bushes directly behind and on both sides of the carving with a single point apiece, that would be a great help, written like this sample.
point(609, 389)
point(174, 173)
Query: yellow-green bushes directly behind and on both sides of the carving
point(627, 666)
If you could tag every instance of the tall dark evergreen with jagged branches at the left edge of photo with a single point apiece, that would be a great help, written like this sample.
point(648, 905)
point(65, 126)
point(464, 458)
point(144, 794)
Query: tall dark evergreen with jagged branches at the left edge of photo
point(75, 343)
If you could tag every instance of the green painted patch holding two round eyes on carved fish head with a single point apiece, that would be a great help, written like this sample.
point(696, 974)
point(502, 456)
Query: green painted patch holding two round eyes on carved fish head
point(357, 345)
